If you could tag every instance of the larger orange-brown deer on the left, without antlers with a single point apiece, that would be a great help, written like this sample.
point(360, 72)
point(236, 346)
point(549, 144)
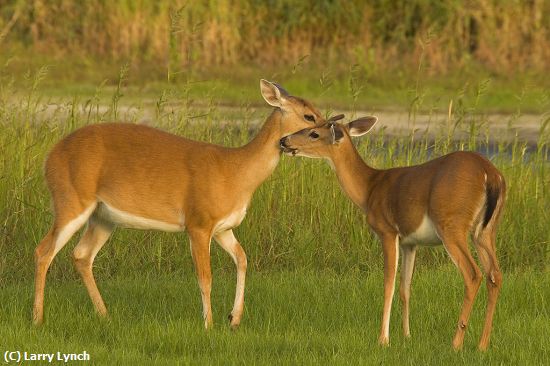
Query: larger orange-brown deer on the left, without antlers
point(134, 176)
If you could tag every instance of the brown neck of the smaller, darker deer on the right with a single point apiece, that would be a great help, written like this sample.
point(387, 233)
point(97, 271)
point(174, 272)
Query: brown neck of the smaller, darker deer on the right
point(354, 175)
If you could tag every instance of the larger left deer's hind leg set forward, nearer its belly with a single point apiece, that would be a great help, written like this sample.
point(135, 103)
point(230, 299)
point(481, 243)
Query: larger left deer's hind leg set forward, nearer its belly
point(84, 253)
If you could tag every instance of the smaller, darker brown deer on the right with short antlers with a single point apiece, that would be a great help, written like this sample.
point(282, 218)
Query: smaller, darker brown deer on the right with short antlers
point(442, 200)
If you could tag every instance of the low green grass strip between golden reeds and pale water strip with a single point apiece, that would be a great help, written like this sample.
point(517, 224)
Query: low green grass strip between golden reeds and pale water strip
point(528, 92)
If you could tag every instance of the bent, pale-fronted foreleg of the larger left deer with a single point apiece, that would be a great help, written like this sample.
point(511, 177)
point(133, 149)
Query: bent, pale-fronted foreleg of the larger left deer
point(230, 244)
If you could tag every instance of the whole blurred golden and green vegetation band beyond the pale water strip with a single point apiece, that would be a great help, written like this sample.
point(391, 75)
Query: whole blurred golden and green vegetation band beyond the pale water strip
point(315, 44)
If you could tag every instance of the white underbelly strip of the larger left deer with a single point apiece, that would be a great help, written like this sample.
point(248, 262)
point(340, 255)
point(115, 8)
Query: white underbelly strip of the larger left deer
point(128, 220)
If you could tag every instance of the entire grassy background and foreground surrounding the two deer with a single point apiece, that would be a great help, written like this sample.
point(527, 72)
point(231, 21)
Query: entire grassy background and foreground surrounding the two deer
point(192, 69)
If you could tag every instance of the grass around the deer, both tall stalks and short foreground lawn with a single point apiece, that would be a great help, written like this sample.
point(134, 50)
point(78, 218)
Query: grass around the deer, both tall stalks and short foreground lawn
point(315, 271)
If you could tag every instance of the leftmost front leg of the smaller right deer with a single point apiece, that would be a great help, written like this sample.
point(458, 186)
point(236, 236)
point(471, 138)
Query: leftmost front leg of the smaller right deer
point(390, 243)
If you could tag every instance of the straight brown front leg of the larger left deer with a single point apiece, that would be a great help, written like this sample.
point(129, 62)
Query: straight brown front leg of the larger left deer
point(200, 251)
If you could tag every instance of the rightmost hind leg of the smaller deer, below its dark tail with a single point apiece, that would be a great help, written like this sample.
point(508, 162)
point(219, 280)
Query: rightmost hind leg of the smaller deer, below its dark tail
point(486, 249)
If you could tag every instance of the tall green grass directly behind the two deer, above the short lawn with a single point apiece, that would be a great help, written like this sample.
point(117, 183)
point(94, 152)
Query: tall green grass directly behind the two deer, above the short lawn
point(299, 218)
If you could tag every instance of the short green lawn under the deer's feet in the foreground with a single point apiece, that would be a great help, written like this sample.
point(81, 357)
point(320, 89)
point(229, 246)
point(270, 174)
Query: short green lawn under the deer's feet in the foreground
point(290, 318)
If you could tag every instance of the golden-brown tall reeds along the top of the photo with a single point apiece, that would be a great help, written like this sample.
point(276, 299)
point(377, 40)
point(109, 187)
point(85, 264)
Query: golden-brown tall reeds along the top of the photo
point(503, 36)
